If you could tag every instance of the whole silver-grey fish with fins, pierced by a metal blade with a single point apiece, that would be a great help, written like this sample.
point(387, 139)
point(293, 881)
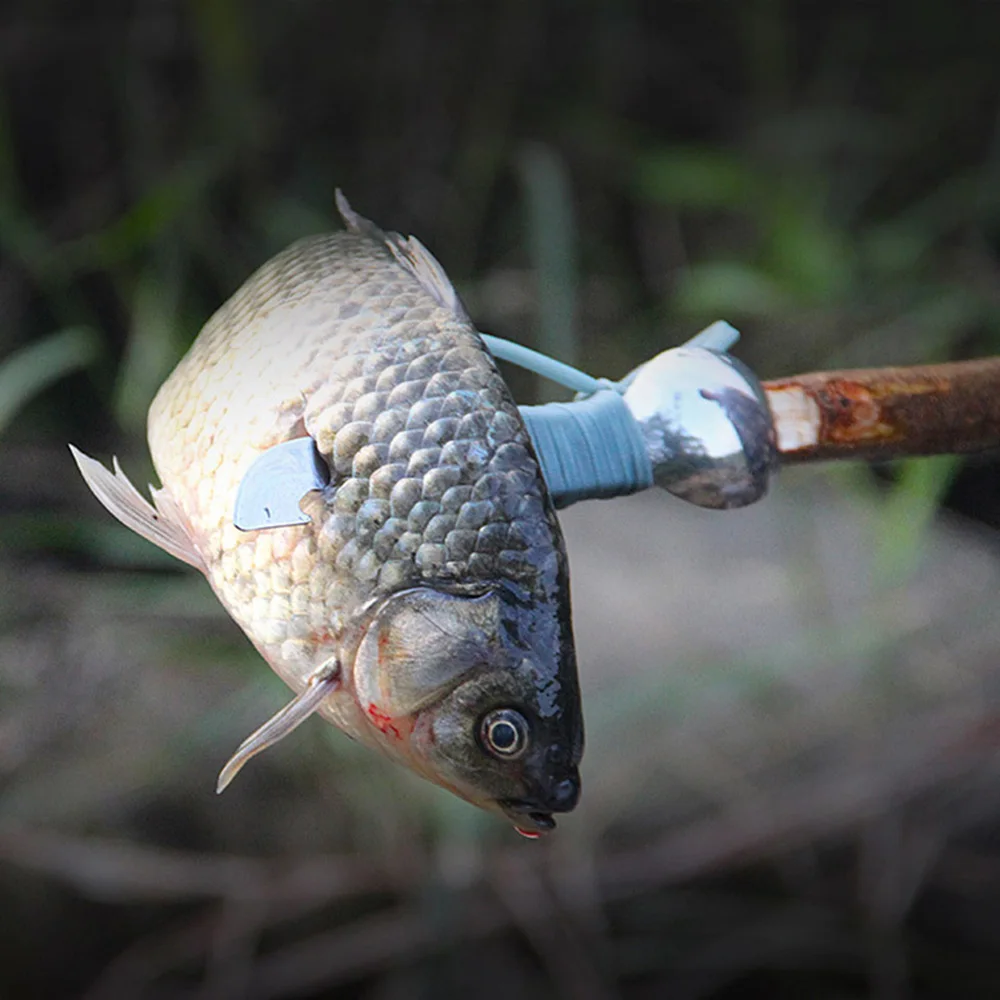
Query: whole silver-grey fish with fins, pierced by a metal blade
point(423, 605)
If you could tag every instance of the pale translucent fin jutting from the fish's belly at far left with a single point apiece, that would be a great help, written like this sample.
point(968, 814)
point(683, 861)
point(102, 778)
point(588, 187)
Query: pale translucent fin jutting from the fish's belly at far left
point(162, 525)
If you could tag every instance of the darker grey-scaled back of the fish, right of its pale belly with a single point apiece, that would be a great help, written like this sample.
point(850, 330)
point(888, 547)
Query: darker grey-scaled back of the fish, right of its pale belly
point(434, 479)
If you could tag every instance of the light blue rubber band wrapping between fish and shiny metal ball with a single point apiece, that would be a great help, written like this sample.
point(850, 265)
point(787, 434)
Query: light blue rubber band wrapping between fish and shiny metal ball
point(590, 449)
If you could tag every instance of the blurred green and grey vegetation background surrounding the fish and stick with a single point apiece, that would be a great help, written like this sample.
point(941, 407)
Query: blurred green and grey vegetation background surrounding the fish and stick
point(791, 785)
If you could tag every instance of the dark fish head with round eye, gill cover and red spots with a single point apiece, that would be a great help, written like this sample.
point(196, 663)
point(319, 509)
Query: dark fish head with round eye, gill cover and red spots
point(478, 693)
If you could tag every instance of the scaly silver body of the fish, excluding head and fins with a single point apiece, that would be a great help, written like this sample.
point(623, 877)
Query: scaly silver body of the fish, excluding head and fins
point(434, 473)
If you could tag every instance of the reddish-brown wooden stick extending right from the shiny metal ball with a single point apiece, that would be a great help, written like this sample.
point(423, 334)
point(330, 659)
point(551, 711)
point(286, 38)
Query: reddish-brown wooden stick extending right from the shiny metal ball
point(884, 413)
